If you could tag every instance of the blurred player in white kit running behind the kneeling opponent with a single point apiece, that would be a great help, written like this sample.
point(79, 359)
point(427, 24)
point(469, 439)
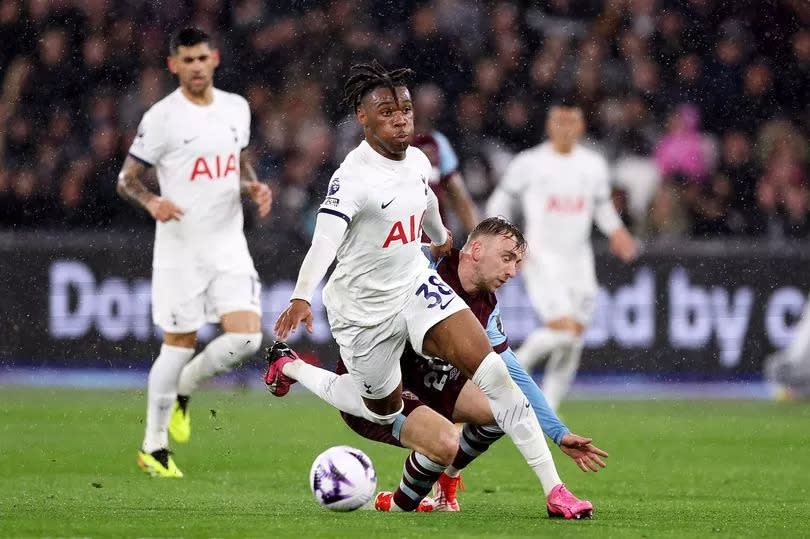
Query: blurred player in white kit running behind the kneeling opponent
point(561, 188)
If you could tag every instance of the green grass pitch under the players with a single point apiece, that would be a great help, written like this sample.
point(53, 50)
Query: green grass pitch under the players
point(677, 469)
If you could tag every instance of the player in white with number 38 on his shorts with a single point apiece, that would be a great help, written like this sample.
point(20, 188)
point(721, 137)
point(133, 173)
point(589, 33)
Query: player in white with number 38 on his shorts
point(382, 292)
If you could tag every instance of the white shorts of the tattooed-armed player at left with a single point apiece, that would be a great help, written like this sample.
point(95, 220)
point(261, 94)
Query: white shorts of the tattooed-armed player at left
point(184, 299)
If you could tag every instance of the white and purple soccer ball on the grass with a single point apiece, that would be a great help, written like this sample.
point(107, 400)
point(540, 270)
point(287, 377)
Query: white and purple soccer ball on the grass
point(342, 478)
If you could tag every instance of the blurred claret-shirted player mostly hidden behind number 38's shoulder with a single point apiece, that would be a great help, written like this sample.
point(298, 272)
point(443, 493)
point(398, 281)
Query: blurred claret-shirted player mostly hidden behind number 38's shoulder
point(446, 180)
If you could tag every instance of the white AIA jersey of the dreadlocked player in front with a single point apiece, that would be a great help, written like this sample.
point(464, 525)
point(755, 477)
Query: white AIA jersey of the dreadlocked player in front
point(383, 201)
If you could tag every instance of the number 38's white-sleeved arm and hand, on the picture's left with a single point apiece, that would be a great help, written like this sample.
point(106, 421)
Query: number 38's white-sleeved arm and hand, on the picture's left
point(326, 239)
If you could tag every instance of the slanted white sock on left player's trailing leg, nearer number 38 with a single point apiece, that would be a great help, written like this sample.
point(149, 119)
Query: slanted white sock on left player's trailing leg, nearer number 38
point(221, 355)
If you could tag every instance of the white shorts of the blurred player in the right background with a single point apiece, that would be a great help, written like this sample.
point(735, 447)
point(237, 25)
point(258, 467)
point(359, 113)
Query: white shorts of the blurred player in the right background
point(562, 288)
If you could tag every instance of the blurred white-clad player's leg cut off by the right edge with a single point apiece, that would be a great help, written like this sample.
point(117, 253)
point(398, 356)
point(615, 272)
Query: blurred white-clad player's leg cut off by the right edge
point(788, 371)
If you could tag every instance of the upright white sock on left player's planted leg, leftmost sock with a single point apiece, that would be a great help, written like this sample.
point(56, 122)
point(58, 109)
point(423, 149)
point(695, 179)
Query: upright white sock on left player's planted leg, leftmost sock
point(161, 394)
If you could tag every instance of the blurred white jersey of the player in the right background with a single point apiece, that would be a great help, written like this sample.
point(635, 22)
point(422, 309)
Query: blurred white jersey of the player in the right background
point(559, 195)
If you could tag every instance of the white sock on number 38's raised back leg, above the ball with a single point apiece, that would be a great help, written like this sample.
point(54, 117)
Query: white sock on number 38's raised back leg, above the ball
point(338, 390)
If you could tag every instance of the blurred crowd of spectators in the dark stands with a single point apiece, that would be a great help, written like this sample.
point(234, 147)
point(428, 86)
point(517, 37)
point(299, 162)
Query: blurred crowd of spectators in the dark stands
point(701, 106)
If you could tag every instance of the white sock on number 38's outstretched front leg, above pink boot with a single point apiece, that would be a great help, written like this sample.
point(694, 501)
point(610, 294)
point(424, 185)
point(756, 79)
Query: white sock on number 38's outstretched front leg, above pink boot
point(516, 417)
